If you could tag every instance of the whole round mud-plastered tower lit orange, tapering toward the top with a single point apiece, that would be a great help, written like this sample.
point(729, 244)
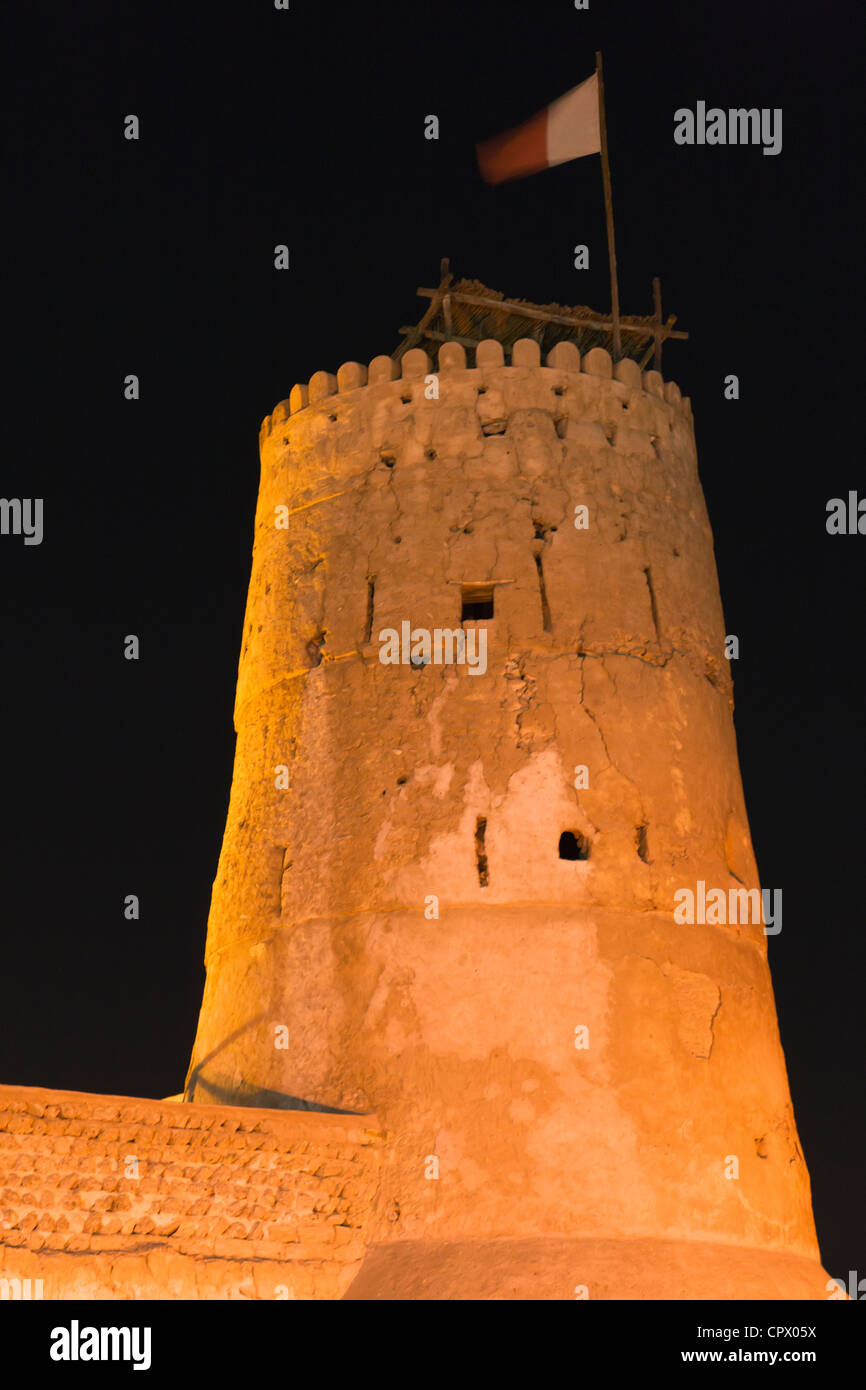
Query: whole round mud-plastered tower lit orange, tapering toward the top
point(447, 894)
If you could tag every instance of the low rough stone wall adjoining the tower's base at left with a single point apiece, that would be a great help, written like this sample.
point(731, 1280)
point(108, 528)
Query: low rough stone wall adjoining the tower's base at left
point(115, 1197)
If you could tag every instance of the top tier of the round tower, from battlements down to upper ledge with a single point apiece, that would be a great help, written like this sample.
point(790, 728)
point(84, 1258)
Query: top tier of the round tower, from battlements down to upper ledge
point(482, 465)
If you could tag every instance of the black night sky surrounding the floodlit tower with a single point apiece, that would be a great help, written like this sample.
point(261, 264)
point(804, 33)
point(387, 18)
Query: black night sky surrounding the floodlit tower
point(156, 258)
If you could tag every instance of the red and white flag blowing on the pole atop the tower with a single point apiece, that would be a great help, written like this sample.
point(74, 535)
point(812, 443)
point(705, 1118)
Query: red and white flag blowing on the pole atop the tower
point(566, 130)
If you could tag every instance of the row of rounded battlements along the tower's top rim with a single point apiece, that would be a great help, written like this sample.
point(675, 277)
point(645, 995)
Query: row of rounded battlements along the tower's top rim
point(416, 366)
